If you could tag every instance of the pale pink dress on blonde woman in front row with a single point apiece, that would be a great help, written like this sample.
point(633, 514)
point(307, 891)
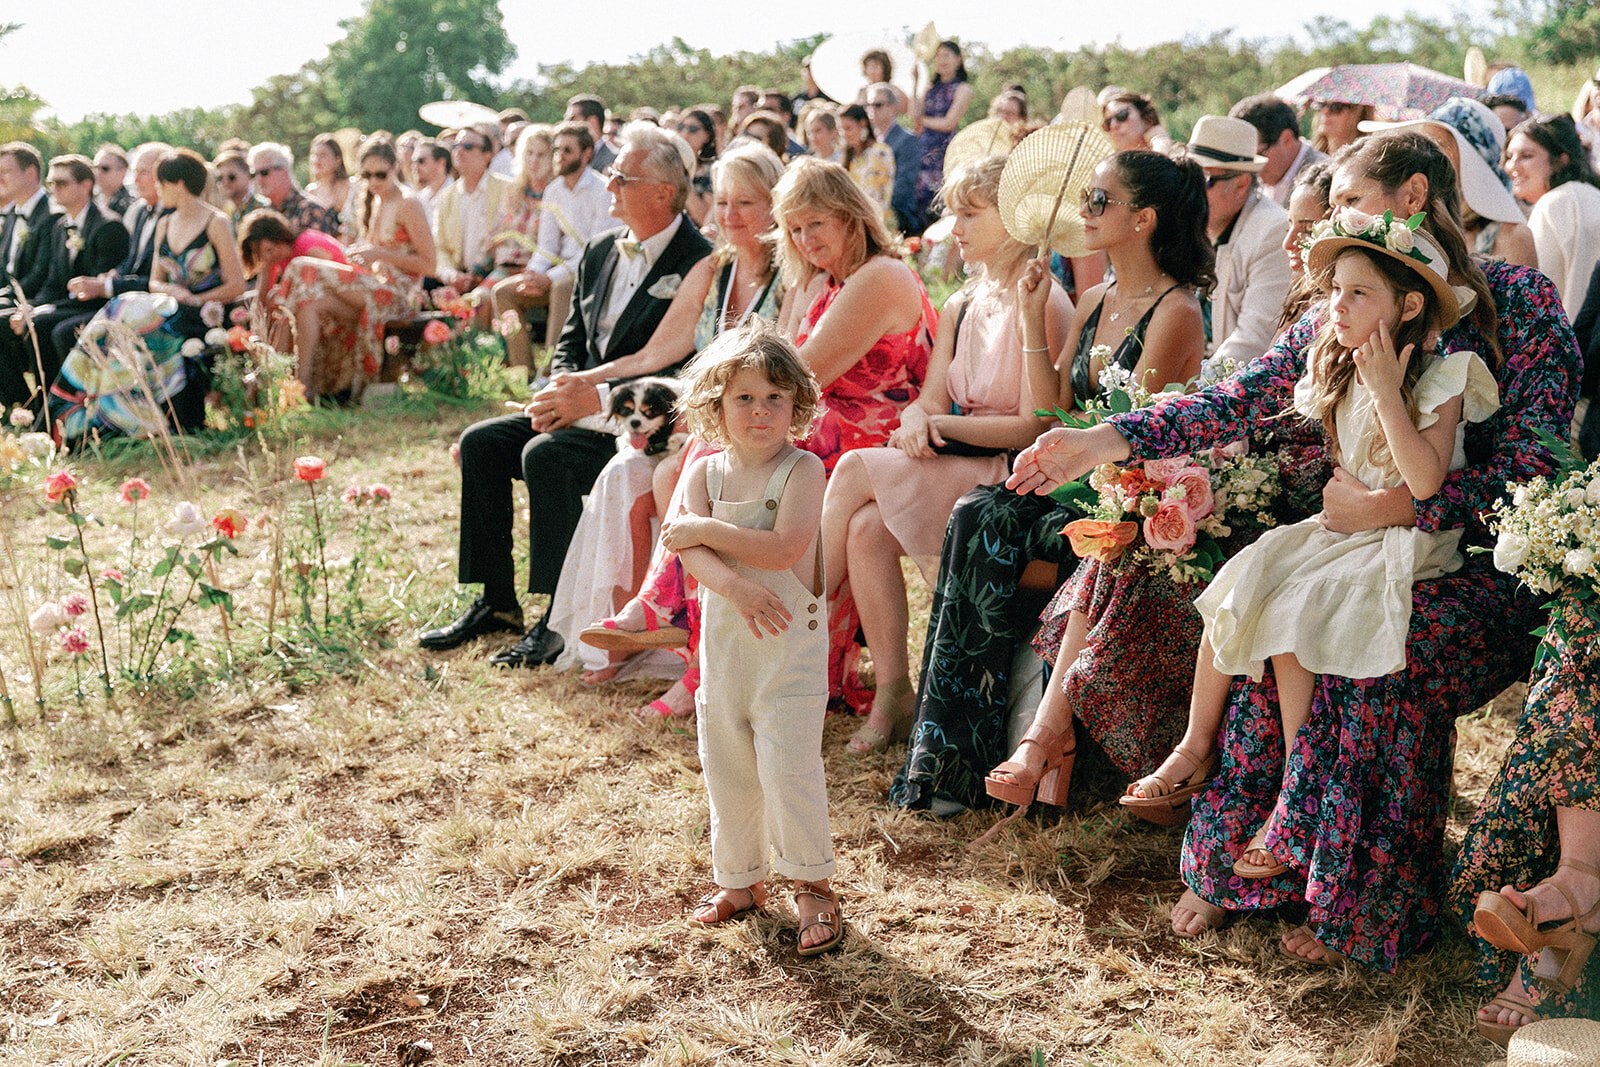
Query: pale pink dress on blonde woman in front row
point(916, 497)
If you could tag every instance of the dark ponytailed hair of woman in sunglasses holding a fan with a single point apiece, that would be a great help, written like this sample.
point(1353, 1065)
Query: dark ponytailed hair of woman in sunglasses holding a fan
point(1175, 188)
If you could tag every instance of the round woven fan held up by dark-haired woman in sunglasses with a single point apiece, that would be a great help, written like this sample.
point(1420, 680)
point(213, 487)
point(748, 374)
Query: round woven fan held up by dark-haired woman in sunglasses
point(1044, 182)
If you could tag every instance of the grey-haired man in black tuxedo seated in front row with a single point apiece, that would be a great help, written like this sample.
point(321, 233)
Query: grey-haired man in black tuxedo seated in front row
point(626, 281)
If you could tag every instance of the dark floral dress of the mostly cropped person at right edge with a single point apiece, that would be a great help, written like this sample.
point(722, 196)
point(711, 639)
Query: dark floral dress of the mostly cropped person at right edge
point(1553, 762)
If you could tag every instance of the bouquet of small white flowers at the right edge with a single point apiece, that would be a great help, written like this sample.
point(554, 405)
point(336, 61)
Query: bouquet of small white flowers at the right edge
point(1550, 537)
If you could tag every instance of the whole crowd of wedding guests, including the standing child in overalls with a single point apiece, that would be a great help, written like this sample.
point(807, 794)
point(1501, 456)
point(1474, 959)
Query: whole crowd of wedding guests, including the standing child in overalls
point(767, 244)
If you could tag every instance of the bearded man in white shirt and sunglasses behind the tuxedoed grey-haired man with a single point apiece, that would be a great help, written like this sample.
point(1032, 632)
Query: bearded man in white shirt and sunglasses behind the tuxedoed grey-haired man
point(577, 207)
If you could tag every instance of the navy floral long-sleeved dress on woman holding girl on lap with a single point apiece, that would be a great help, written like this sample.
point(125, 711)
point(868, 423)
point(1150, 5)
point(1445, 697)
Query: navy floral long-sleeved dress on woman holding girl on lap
point(1361, 813)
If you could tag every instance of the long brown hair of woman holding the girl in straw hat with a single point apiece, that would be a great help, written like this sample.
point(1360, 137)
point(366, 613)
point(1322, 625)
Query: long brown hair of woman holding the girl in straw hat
point(1391, 159)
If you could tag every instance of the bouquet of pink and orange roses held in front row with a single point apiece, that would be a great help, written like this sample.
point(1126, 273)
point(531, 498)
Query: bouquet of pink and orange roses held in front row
point(1166, 513)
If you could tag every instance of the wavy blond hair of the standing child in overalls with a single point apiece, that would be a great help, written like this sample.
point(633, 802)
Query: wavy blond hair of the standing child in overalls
point(759, 346)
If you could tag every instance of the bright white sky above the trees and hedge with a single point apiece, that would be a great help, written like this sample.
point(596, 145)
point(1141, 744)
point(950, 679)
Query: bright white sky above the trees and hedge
point(118, 57)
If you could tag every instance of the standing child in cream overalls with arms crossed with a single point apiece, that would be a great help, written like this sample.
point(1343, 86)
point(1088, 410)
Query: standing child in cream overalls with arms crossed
point(750, 533)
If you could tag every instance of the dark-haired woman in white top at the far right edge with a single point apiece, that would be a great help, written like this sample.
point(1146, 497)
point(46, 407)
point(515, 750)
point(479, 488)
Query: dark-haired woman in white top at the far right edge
point(1550, 169)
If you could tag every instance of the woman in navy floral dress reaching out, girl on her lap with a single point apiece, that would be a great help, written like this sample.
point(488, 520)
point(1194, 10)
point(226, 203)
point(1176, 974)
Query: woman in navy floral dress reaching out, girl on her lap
point(1358, 817)
